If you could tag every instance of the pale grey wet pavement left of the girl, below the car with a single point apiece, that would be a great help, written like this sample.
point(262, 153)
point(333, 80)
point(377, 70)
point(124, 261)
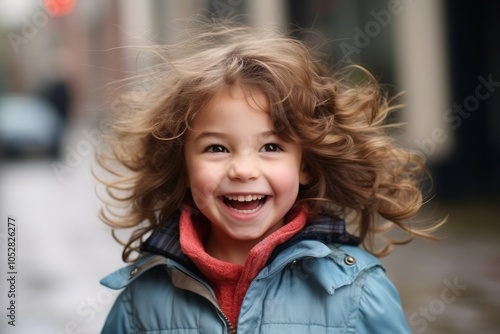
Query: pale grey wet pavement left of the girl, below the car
point(62, 250)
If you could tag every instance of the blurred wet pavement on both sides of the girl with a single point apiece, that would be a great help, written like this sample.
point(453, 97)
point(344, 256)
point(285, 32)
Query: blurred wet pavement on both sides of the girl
point(452, 286)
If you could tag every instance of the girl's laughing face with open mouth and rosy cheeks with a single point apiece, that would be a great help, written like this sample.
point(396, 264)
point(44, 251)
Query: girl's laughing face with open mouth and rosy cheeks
point(242, 176)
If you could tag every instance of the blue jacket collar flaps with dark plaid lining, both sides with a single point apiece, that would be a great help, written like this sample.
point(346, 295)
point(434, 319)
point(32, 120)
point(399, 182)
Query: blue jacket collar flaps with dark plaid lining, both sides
point(324, 238)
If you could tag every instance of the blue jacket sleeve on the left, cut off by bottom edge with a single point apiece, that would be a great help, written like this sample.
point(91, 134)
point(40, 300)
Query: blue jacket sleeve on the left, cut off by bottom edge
point(119, 317)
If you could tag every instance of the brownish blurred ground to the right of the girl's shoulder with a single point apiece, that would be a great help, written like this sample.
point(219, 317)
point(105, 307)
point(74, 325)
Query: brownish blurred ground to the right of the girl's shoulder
point(453, 286)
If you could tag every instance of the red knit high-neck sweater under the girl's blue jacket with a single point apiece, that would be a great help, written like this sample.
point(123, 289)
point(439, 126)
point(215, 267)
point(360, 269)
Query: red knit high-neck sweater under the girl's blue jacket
point(228, 280)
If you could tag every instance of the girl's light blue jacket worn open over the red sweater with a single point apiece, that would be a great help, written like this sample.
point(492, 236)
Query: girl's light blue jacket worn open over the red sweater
point(308, 287)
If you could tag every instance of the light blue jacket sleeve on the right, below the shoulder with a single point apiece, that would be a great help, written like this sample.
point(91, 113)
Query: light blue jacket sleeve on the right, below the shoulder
point(380, 309)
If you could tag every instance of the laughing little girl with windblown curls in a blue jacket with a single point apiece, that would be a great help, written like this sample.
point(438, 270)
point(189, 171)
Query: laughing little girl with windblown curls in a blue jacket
point(245, 162)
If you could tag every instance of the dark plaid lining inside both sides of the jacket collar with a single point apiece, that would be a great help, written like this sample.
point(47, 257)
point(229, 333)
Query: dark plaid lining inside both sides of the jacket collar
point(327, 229)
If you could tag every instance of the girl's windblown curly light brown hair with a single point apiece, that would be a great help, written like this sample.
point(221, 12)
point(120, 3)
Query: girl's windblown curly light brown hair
point(356, 171)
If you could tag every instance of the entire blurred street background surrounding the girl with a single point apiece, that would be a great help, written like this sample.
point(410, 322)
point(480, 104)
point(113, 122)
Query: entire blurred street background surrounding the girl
point(57, 56)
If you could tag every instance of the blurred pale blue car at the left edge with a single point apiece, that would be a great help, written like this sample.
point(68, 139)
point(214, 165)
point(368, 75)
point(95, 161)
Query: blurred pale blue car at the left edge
point(29, 126)
